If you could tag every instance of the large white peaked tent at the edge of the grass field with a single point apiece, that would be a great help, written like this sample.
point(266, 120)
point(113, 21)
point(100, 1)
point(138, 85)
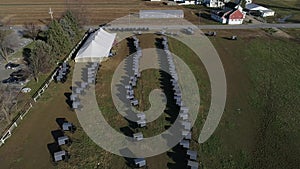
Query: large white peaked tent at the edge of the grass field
point(96, 47)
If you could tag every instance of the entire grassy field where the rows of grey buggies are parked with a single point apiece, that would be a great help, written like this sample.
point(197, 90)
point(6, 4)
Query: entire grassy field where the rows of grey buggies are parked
point(259, 128)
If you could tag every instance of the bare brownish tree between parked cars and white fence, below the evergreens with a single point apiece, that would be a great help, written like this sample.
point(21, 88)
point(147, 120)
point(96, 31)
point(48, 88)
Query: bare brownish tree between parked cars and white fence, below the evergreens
point(40, 58)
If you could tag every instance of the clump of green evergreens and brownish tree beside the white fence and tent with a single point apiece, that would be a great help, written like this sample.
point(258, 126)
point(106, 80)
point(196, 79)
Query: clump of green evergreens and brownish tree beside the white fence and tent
point(50, 46)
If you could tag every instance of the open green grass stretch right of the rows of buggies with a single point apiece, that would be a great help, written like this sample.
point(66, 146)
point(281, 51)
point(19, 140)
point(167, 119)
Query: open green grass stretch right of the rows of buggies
point(264, 133)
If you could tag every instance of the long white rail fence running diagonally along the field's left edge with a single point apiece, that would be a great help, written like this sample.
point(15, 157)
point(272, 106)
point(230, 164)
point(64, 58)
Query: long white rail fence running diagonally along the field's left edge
point(36, 96)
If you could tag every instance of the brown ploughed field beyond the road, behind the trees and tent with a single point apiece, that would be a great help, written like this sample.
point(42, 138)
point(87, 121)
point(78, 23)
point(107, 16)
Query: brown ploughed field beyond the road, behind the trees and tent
point(17, 12)
